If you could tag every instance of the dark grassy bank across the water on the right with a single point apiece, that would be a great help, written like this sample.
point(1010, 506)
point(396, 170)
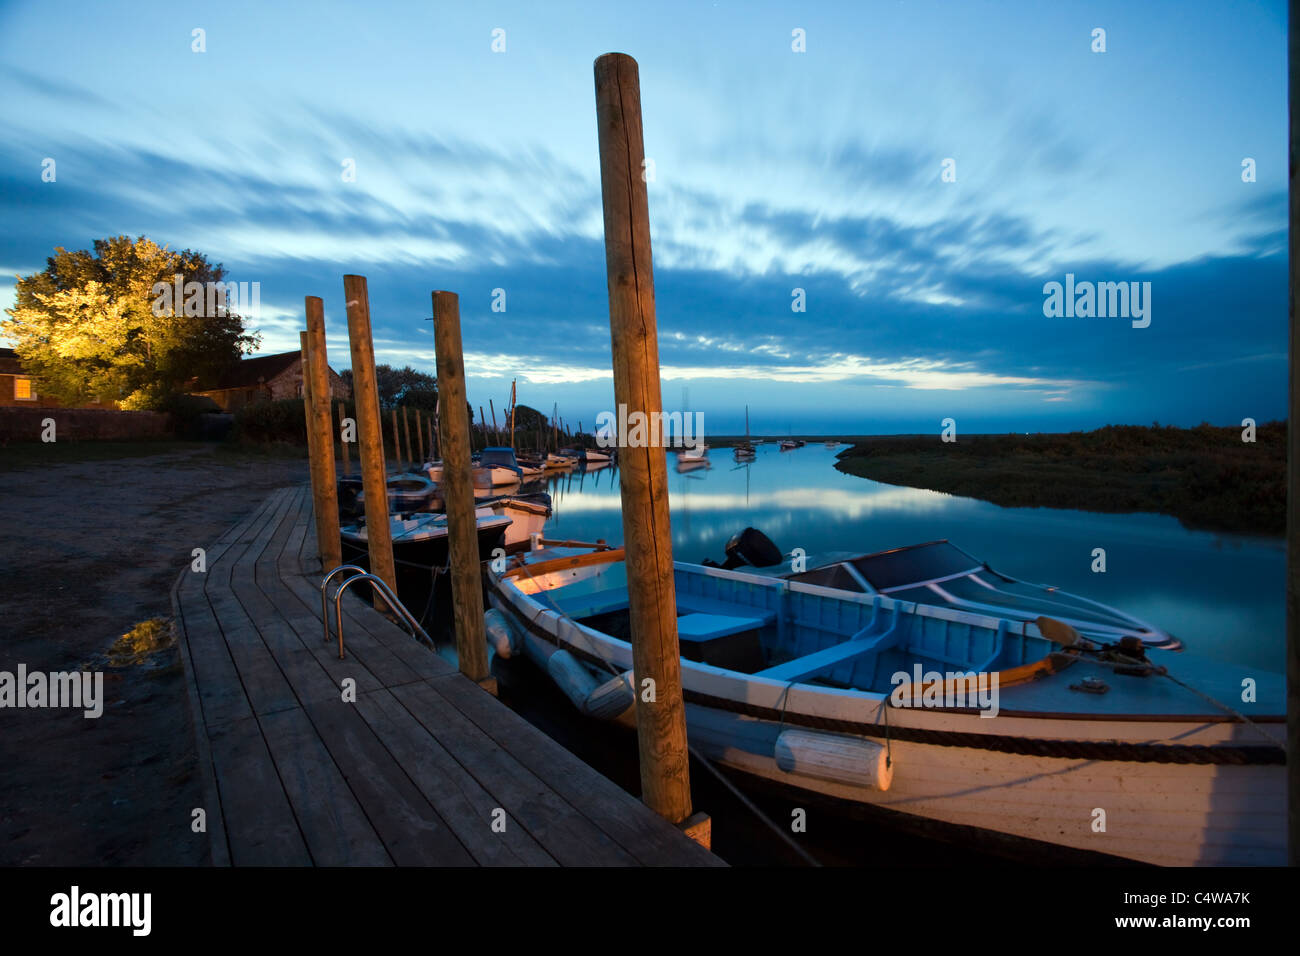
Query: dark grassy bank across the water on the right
point(1206, 477)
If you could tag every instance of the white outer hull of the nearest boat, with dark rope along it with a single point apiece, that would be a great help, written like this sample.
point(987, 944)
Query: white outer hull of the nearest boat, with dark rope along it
point(1162, 789)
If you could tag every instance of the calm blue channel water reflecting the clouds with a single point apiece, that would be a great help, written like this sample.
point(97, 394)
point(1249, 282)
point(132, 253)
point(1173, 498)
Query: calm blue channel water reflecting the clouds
point(1223, 595)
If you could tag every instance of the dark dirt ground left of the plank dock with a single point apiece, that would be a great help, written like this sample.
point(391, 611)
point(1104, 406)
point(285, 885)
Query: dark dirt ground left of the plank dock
point(93, 538)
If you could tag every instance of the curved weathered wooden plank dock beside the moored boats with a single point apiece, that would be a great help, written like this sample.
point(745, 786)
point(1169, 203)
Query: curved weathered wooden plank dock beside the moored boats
point(424, 768)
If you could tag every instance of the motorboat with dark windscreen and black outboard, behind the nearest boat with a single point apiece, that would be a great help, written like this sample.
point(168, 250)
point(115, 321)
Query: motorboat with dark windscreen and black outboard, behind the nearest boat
point(943, 576)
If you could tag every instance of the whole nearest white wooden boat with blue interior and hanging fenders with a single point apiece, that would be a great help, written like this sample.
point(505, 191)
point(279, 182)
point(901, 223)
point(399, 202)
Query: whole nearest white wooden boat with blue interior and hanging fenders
point(1013, 728)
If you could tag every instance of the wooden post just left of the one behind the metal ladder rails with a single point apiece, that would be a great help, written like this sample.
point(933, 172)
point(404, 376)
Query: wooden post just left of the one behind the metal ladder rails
point(319, 425)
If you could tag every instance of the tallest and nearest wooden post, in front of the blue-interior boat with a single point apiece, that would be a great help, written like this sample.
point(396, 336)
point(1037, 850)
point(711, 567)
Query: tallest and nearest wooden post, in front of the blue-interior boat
point(647, 537)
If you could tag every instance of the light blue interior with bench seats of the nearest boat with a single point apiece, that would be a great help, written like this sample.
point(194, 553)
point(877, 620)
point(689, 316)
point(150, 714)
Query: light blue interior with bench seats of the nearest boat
point(769, 630)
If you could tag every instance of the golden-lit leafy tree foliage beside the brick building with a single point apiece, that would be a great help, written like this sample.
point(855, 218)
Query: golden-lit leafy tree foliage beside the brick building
point(88, 327)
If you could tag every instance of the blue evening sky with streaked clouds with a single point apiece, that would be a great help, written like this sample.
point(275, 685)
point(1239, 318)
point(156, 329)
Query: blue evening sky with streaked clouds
point(774, 171)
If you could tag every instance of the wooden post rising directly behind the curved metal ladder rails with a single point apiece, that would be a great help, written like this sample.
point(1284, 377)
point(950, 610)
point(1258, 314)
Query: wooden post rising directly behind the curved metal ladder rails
point(366, 395)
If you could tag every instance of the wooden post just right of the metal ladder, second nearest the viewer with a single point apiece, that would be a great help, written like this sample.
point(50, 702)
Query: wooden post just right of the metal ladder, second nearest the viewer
point(458, 491)
